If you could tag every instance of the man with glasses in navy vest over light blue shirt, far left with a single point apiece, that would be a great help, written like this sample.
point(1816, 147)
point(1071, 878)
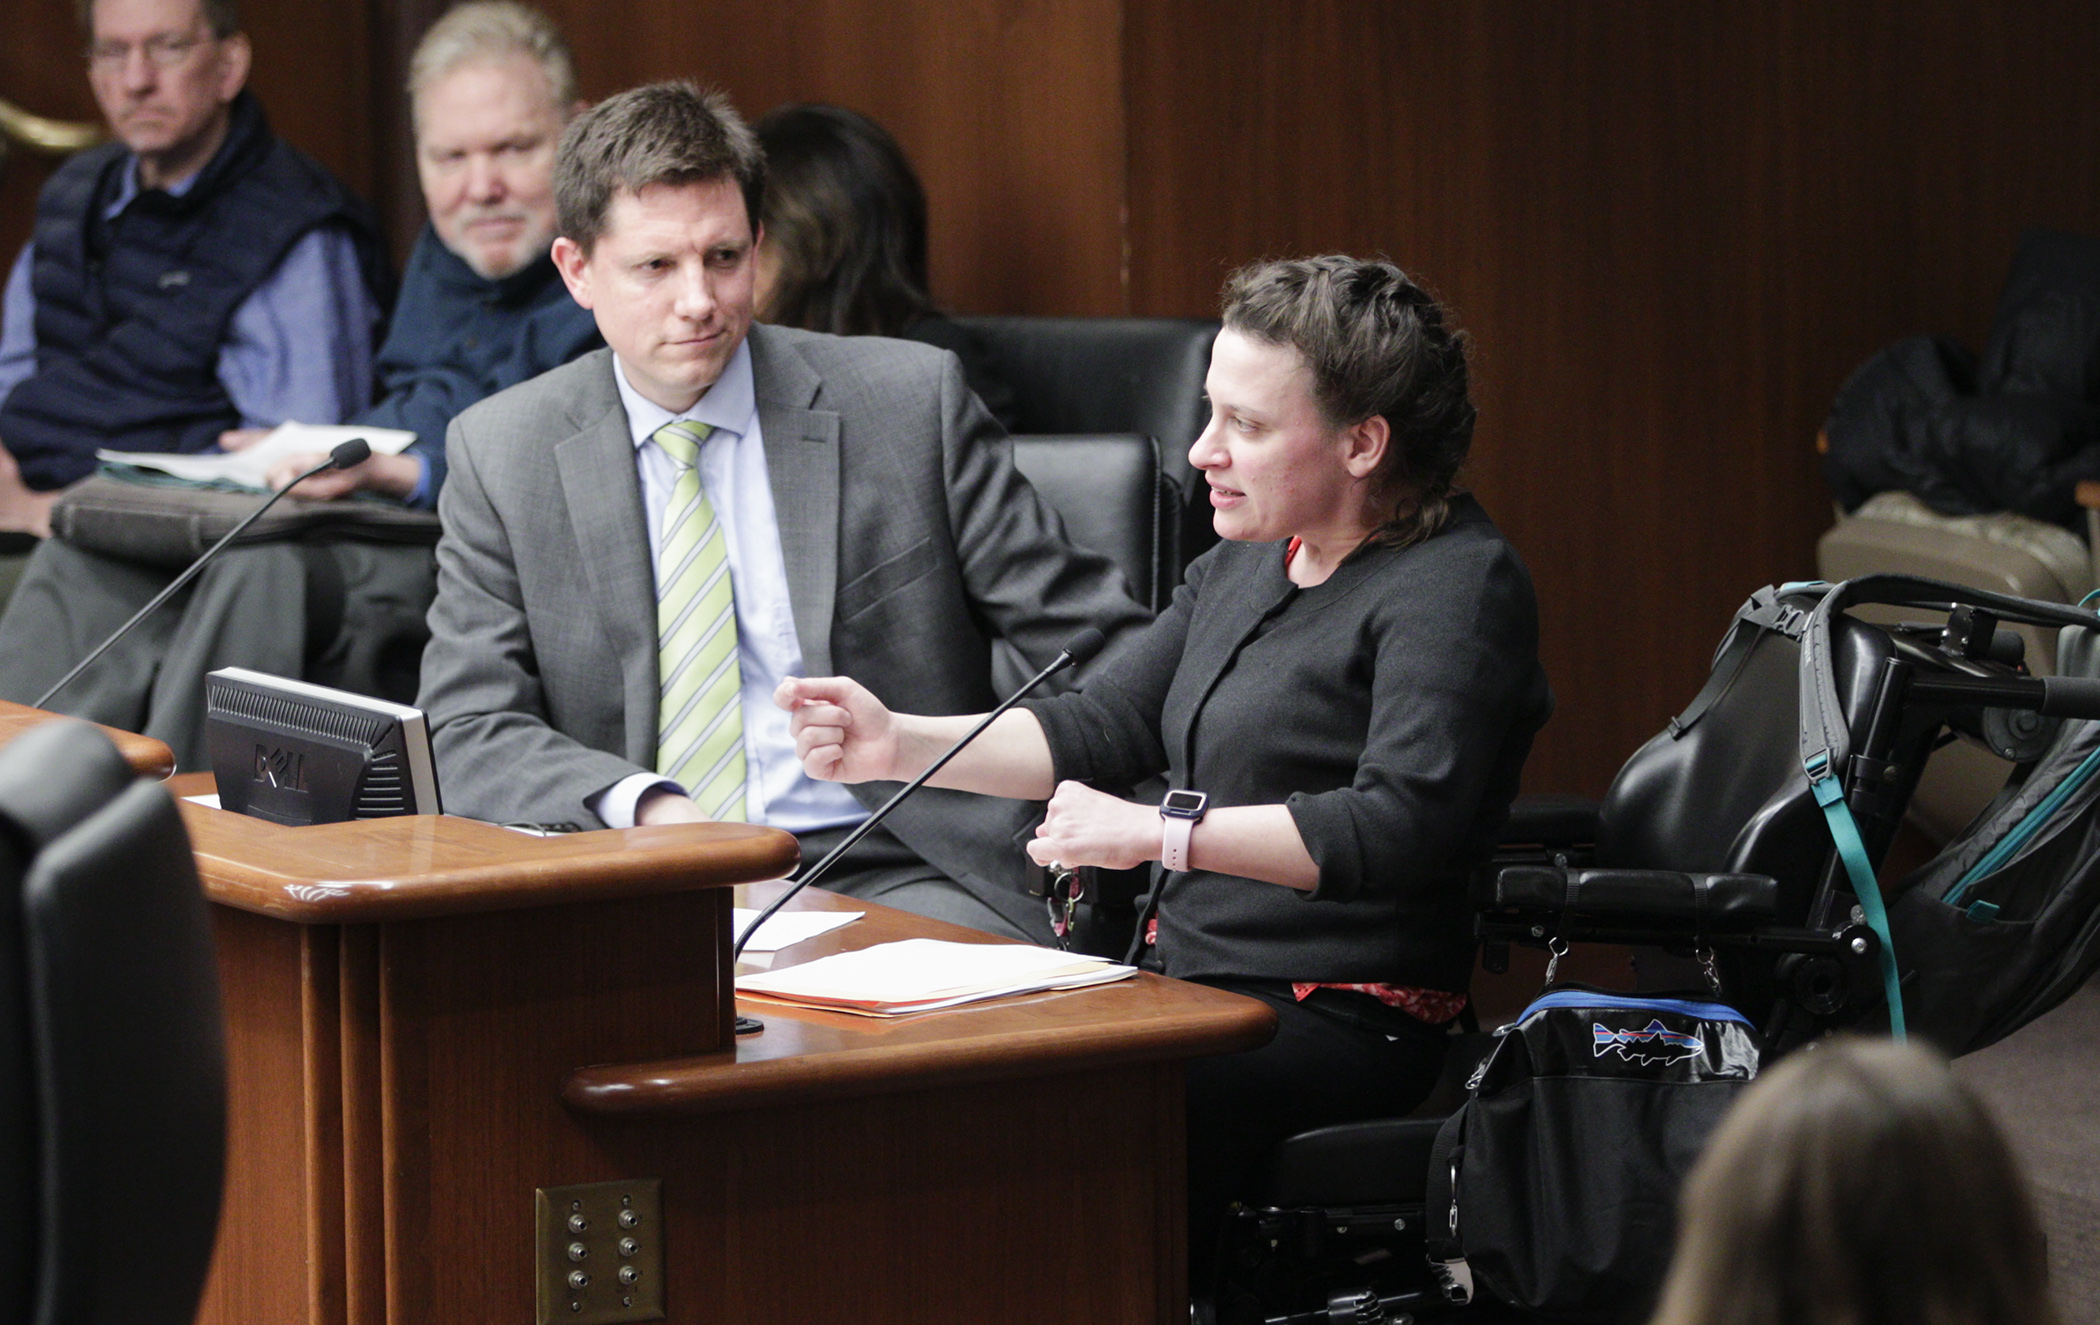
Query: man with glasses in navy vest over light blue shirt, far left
point(194, 276)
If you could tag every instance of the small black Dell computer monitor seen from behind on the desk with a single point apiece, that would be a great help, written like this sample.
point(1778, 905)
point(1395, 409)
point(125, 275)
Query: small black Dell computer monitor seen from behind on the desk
point(299, 753)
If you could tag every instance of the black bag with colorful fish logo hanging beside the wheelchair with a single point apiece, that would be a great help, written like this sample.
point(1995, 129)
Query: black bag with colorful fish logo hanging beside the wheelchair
point(1555, 1185)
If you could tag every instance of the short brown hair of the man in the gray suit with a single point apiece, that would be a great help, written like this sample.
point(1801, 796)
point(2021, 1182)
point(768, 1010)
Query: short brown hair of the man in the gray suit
point(667, 133)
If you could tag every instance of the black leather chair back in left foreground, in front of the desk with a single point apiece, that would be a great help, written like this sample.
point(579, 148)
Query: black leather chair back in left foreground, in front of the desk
point(112, 1051)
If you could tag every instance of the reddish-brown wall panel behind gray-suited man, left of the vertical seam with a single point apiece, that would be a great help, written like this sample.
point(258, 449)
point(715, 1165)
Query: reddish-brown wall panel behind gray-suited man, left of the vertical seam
point(1009, 108)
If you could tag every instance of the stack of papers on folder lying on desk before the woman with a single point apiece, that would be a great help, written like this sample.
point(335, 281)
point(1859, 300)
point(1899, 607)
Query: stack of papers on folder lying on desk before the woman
point(921, 975)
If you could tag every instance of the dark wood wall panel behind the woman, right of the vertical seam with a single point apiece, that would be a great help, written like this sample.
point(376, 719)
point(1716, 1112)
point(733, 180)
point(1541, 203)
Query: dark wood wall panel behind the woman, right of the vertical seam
point(1673, 232)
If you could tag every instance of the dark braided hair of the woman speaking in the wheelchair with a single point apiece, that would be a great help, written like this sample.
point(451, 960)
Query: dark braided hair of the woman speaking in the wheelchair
point(1377, 345)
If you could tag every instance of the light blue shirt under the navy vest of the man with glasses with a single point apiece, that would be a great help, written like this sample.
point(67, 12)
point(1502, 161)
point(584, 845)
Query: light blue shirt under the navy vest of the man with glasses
point(299, 345)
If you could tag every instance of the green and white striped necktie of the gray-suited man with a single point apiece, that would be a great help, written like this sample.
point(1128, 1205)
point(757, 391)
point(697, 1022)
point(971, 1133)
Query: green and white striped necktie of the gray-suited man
point(700, 717)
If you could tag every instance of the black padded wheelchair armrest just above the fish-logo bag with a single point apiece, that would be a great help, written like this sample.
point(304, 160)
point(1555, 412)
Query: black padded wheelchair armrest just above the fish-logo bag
point(1704, 902)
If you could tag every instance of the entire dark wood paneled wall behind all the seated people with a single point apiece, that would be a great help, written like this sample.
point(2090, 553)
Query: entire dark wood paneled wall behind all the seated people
point(1671, 230)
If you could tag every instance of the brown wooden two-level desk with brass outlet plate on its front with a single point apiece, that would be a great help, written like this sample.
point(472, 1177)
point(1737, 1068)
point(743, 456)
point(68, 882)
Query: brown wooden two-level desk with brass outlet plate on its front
point(429, 1019)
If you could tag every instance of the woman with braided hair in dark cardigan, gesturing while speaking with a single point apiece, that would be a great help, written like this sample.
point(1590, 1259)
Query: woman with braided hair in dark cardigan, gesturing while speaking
point(1343, 696)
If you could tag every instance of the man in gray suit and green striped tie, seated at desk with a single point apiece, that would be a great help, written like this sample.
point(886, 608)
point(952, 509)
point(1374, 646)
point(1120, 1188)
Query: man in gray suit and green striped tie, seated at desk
point(644, 543)
